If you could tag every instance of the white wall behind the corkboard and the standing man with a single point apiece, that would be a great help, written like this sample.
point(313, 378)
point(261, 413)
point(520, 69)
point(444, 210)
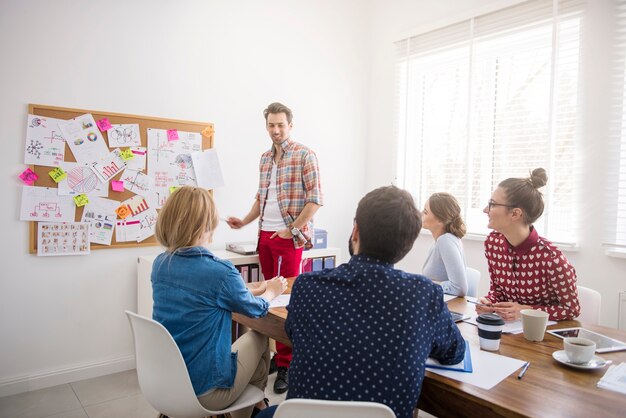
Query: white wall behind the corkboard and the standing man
point(218, 61)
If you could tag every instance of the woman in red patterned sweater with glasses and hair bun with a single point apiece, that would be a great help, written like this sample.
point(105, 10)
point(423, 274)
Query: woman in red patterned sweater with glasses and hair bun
point(526, 270)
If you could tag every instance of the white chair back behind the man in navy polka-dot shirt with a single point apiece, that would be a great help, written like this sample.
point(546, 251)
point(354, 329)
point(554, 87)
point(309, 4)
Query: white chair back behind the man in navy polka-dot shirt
point(315, 408)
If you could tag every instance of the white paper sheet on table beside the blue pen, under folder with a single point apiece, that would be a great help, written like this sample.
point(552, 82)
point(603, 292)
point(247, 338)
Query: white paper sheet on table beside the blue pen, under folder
point(489, 369)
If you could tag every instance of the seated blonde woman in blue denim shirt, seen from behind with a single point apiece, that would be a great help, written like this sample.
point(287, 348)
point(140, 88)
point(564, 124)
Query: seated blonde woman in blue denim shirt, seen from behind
point(195, 294)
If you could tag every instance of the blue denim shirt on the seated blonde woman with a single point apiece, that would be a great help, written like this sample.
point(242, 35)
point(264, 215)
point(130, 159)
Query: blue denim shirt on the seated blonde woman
point(194, 296)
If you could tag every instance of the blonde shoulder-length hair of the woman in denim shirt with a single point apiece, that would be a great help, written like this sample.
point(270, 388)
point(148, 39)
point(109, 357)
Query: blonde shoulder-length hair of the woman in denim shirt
point(187, 213)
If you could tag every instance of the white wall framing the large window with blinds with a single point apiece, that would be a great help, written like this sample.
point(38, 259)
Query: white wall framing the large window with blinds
point(401, 18)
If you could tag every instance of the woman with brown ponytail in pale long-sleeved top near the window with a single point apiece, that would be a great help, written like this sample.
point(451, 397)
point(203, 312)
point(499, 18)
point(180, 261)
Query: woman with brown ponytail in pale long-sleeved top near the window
point(446, 261)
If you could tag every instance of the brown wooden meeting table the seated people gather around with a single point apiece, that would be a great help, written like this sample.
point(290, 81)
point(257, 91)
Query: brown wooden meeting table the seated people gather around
point(548, 388)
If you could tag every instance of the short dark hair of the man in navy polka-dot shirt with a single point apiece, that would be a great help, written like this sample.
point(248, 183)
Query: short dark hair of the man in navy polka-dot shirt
point(389, 223)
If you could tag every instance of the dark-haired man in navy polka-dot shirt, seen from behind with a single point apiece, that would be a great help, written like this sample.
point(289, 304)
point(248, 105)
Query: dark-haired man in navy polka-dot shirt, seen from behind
point(363, 331)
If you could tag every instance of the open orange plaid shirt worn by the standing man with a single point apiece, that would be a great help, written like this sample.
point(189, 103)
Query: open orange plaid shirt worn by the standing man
point(297, 183)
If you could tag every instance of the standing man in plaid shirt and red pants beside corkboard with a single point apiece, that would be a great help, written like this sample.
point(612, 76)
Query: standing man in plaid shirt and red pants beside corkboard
point(289, 195)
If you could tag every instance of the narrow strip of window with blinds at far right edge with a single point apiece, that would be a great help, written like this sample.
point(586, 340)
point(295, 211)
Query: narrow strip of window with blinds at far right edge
point(615, 234)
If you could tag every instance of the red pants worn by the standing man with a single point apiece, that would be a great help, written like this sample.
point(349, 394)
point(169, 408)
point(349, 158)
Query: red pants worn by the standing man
point(269, 251)
